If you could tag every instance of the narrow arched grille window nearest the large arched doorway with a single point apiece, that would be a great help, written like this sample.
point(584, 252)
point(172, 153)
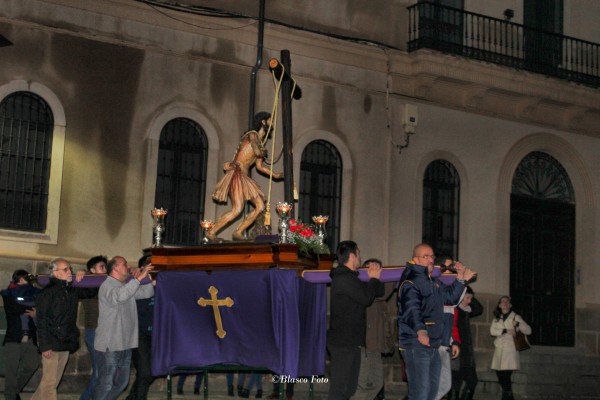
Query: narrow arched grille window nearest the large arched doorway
point(441, 199)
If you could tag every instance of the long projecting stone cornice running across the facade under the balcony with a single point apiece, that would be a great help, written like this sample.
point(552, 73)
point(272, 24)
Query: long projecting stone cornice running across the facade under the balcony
point(426, 76)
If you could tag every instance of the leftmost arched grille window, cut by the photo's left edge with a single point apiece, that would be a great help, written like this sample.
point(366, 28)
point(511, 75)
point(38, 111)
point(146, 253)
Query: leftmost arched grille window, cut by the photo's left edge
point(26, 126)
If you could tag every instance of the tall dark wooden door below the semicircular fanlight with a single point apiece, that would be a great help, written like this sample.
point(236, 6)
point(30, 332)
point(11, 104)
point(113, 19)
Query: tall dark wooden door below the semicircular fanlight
point(542, 244)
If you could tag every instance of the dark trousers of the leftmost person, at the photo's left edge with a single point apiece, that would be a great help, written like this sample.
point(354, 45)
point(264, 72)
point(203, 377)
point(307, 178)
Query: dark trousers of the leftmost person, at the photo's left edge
point(22, 360)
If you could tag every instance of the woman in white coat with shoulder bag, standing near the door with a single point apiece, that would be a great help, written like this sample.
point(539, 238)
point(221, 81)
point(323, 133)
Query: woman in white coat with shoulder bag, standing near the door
point(506, 358)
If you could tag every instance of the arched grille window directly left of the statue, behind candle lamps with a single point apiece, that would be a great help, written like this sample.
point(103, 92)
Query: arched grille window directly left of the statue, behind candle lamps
point(181, 180)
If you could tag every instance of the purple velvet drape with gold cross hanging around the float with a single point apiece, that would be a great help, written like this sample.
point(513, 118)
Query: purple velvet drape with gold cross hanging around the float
point(277, 322)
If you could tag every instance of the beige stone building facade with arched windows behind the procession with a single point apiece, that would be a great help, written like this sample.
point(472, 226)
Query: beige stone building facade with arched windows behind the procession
point(468, 125)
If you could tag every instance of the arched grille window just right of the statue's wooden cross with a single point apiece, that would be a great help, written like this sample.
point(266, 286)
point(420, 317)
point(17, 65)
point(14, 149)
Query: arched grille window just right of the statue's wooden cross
point(321, 187)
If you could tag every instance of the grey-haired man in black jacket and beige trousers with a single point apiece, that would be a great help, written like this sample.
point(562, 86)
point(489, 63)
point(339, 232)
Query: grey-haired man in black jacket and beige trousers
point(58, 334)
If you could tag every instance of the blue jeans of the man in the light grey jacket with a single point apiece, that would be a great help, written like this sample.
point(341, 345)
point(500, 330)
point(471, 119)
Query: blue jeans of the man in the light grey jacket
point(113, 374)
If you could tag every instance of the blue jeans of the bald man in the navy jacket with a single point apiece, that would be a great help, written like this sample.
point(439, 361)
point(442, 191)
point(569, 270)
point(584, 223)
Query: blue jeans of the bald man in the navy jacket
point(423, 367)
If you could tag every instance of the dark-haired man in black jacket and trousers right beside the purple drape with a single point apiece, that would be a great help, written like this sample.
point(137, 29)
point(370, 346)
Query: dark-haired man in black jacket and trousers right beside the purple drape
point(350, 298)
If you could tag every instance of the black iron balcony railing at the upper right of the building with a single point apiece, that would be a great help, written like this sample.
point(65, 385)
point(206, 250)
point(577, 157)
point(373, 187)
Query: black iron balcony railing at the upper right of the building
point(480, 37)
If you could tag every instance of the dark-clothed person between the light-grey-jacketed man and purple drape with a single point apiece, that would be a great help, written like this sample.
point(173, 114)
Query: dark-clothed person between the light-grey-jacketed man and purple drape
point(142, 355)
